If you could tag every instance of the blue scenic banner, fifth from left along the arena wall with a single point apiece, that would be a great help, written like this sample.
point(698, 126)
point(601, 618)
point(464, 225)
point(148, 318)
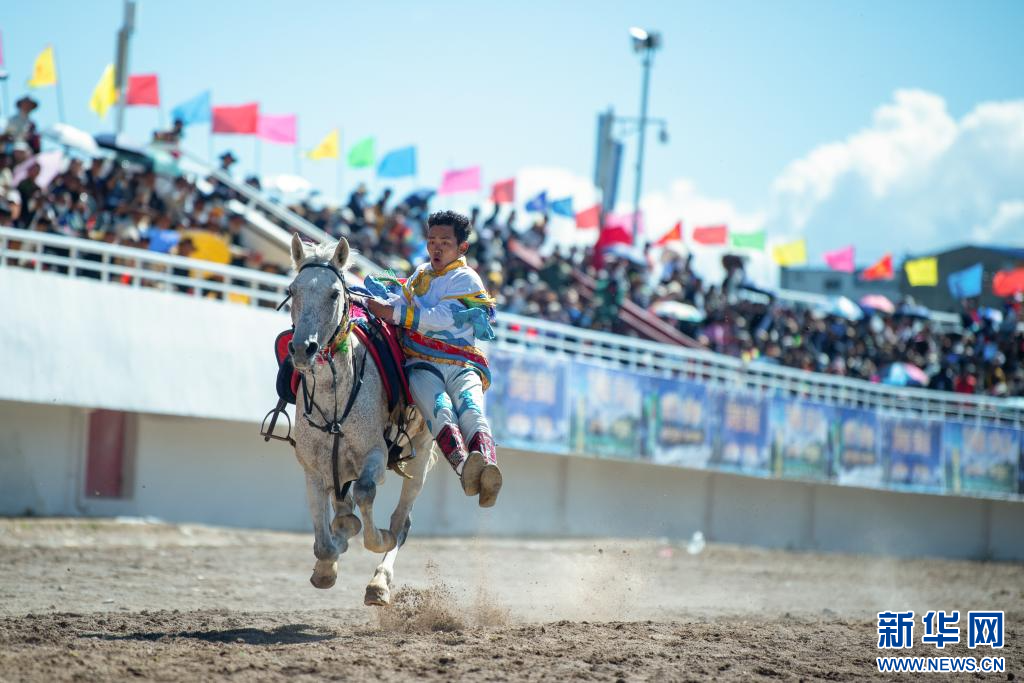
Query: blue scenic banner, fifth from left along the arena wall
point(801, 439)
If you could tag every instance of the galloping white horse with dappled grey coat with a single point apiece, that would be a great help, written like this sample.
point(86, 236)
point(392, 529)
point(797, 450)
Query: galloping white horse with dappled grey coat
point(342, 416)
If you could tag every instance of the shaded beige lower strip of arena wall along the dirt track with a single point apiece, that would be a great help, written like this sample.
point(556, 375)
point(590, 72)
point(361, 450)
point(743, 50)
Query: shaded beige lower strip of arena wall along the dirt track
point(222, 473)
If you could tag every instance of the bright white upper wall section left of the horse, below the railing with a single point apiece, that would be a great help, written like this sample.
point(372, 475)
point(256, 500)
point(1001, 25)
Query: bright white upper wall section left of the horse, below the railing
point(81, 343)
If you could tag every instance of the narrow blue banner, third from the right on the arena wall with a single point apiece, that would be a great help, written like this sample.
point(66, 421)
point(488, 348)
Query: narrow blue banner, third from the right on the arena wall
point(859, 449)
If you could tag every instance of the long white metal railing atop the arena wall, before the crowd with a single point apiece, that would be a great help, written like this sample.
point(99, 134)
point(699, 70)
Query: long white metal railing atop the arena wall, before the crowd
point(141, 269)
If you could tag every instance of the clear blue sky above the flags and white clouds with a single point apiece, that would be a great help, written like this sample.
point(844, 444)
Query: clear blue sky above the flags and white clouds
point(747, 88)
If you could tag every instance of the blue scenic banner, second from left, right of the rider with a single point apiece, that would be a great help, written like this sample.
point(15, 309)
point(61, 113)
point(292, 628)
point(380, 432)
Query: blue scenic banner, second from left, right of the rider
point(608, 412)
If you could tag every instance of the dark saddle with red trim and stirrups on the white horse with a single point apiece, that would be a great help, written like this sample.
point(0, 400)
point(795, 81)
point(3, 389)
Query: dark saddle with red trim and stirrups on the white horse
point(382, 344)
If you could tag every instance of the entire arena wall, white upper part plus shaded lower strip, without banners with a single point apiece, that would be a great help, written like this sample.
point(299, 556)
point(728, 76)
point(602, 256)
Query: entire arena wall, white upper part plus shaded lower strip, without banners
point(199, 375)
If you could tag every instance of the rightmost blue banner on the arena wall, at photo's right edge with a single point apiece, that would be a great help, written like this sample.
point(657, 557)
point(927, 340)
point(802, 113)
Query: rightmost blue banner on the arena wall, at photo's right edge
point(982, 459)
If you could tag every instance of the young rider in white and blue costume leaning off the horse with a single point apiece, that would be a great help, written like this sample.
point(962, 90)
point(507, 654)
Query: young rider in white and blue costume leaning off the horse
point(445, 309)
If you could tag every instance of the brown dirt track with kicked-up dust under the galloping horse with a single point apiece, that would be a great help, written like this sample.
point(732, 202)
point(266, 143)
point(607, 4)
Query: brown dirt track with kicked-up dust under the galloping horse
point(89, 601)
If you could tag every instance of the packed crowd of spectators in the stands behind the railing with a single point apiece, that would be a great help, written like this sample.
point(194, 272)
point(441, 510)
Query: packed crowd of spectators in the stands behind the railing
point(122, 202)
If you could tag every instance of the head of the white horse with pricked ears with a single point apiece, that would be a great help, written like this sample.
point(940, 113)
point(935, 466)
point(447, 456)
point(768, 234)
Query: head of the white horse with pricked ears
point(320, 298)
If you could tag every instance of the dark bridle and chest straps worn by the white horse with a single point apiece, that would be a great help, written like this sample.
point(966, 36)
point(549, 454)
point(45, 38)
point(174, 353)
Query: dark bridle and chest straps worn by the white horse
point(338, 339)
